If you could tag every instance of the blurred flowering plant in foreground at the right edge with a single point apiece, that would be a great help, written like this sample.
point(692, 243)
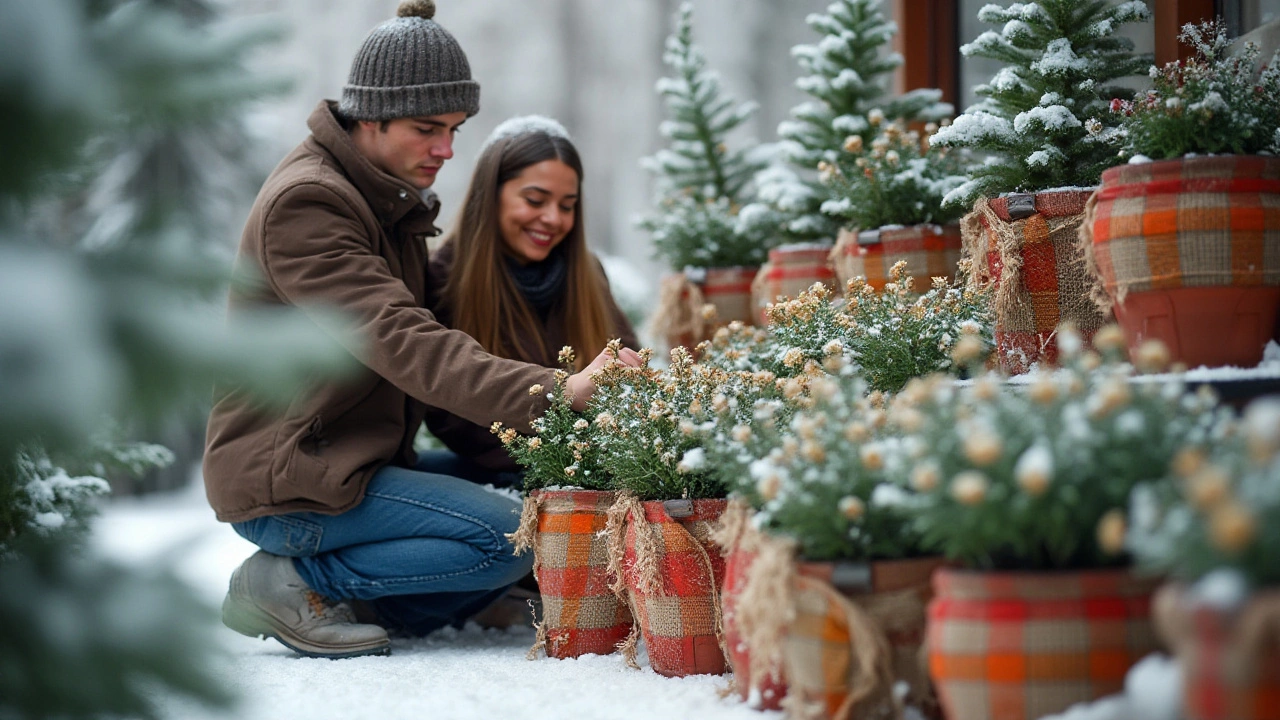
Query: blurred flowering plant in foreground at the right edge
point(1222, 509)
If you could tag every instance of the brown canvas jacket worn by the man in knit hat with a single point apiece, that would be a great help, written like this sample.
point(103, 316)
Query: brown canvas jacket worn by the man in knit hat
point(331, 230)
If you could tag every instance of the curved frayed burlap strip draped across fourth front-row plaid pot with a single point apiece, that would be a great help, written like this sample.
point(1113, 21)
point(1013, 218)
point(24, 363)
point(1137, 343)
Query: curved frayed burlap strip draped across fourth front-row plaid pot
point(871, 662)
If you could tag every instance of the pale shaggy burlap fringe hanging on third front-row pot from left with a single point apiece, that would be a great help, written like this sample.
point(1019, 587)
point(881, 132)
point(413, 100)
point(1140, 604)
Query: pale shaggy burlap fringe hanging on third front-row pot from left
point(766, 608)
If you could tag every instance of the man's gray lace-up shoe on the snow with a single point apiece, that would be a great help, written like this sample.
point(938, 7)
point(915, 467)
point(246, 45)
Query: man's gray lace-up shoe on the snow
point(268, 599)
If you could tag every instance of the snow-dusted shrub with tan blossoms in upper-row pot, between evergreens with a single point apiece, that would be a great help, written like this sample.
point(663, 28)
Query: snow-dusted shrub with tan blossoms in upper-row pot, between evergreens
point(895, 181)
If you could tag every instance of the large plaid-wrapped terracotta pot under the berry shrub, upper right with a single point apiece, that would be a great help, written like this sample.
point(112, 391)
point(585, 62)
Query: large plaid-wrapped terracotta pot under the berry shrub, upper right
point(1186, 252)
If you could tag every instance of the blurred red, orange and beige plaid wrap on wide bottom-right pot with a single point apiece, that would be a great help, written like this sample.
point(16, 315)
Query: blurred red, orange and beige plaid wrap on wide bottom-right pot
point(1021, 646)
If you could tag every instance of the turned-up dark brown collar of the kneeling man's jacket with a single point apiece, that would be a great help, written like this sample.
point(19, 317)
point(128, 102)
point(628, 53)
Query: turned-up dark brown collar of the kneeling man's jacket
point(391, 199)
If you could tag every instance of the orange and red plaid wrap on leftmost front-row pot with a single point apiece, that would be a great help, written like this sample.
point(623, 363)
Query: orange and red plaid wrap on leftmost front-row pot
point(580, 613)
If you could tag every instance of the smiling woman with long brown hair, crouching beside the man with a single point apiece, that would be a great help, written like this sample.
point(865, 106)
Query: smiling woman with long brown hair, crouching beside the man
point(515, 274)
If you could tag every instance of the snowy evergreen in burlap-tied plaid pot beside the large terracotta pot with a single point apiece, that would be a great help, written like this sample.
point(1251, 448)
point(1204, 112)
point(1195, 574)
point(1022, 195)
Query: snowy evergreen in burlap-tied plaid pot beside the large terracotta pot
point(1028, 195)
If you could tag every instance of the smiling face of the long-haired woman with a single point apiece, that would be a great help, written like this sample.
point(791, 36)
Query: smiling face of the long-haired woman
point(537, 209)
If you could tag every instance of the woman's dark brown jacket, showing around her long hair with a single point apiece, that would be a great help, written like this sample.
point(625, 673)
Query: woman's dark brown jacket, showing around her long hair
point(474, 441)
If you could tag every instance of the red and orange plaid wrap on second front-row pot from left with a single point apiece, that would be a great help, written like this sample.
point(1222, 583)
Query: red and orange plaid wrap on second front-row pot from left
point(680, 621)
